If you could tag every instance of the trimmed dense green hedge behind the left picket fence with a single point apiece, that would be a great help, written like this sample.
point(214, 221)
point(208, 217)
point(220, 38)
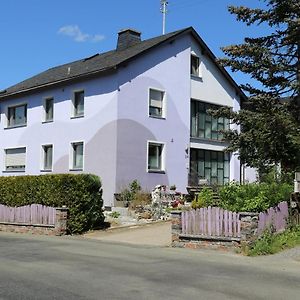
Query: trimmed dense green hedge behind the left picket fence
point(80, 193)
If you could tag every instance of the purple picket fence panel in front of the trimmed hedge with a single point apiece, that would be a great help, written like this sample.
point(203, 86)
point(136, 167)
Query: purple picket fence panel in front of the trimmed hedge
point(34, 214)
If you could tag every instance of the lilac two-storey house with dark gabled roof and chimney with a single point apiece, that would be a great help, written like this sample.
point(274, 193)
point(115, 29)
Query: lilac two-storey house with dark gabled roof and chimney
point(137, 112)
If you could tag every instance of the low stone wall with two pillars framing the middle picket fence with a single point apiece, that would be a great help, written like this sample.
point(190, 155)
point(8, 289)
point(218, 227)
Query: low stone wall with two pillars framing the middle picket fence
point(249, 226)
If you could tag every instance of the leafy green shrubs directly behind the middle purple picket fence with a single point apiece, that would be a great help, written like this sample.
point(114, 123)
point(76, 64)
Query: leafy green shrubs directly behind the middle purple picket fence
point(253, 197)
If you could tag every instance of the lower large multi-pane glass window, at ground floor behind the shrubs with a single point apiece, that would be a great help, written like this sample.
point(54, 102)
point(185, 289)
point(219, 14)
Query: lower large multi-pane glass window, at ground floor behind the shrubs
point(210, 165)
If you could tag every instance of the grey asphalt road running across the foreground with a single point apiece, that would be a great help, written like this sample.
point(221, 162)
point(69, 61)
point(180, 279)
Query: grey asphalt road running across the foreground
point(35, 267)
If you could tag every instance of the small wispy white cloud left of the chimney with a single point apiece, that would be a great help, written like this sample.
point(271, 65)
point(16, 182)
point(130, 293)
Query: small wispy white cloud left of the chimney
point(77, 35)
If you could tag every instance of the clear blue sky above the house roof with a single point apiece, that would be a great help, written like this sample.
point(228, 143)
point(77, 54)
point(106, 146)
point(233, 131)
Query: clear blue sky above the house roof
point(39, 34)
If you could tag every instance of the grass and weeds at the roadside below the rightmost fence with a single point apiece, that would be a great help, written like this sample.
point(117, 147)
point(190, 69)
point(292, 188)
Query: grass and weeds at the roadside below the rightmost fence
point(270, 243)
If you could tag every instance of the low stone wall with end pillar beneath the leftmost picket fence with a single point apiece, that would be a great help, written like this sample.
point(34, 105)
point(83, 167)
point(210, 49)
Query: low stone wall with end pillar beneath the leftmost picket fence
point(59, 228)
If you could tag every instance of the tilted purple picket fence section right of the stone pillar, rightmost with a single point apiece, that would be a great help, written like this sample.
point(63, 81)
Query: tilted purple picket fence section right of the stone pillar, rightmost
point(275, 217)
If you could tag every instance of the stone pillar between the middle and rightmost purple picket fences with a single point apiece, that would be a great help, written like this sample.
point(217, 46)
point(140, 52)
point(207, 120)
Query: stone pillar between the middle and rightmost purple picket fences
point(249, 226)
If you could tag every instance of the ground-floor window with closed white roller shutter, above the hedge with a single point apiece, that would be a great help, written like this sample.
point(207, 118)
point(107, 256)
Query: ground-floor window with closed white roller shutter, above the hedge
point(15, 159)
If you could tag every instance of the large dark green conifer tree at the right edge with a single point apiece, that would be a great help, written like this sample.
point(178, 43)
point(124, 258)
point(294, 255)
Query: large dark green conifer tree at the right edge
point(270, 127)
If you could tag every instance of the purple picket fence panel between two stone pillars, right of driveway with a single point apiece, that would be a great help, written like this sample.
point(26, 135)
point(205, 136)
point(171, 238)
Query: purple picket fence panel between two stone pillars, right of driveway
point(211, 221)
